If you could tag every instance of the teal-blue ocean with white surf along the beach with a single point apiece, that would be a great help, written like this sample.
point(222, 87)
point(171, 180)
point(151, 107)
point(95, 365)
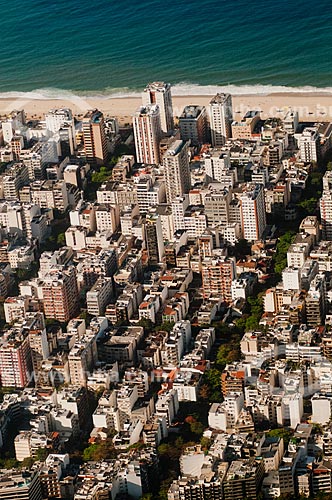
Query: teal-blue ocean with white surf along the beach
point(114, 47)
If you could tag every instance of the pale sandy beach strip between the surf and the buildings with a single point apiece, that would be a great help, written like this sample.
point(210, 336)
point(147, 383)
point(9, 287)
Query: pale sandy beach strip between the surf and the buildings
point(310, 106)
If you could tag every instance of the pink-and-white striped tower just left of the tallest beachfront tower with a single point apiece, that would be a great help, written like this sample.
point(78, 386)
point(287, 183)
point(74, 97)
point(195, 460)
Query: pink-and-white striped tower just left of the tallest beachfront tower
point(147, 132)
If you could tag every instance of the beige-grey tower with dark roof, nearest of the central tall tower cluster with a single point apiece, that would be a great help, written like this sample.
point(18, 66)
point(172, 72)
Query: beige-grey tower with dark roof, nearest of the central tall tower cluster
point(177, 172)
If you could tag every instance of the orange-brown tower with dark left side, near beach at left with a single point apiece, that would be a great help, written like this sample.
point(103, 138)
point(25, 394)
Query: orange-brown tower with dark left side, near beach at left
point(95, 142)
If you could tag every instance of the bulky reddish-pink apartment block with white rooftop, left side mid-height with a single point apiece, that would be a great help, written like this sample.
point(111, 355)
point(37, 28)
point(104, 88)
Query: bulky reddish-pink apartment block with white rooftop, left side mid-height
point(60, 294)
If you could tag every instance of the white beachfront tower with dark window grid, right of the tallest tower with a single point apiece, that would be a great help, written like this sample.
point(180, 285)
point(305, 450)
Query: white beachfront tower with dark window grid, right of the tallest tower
point(221, 117)
